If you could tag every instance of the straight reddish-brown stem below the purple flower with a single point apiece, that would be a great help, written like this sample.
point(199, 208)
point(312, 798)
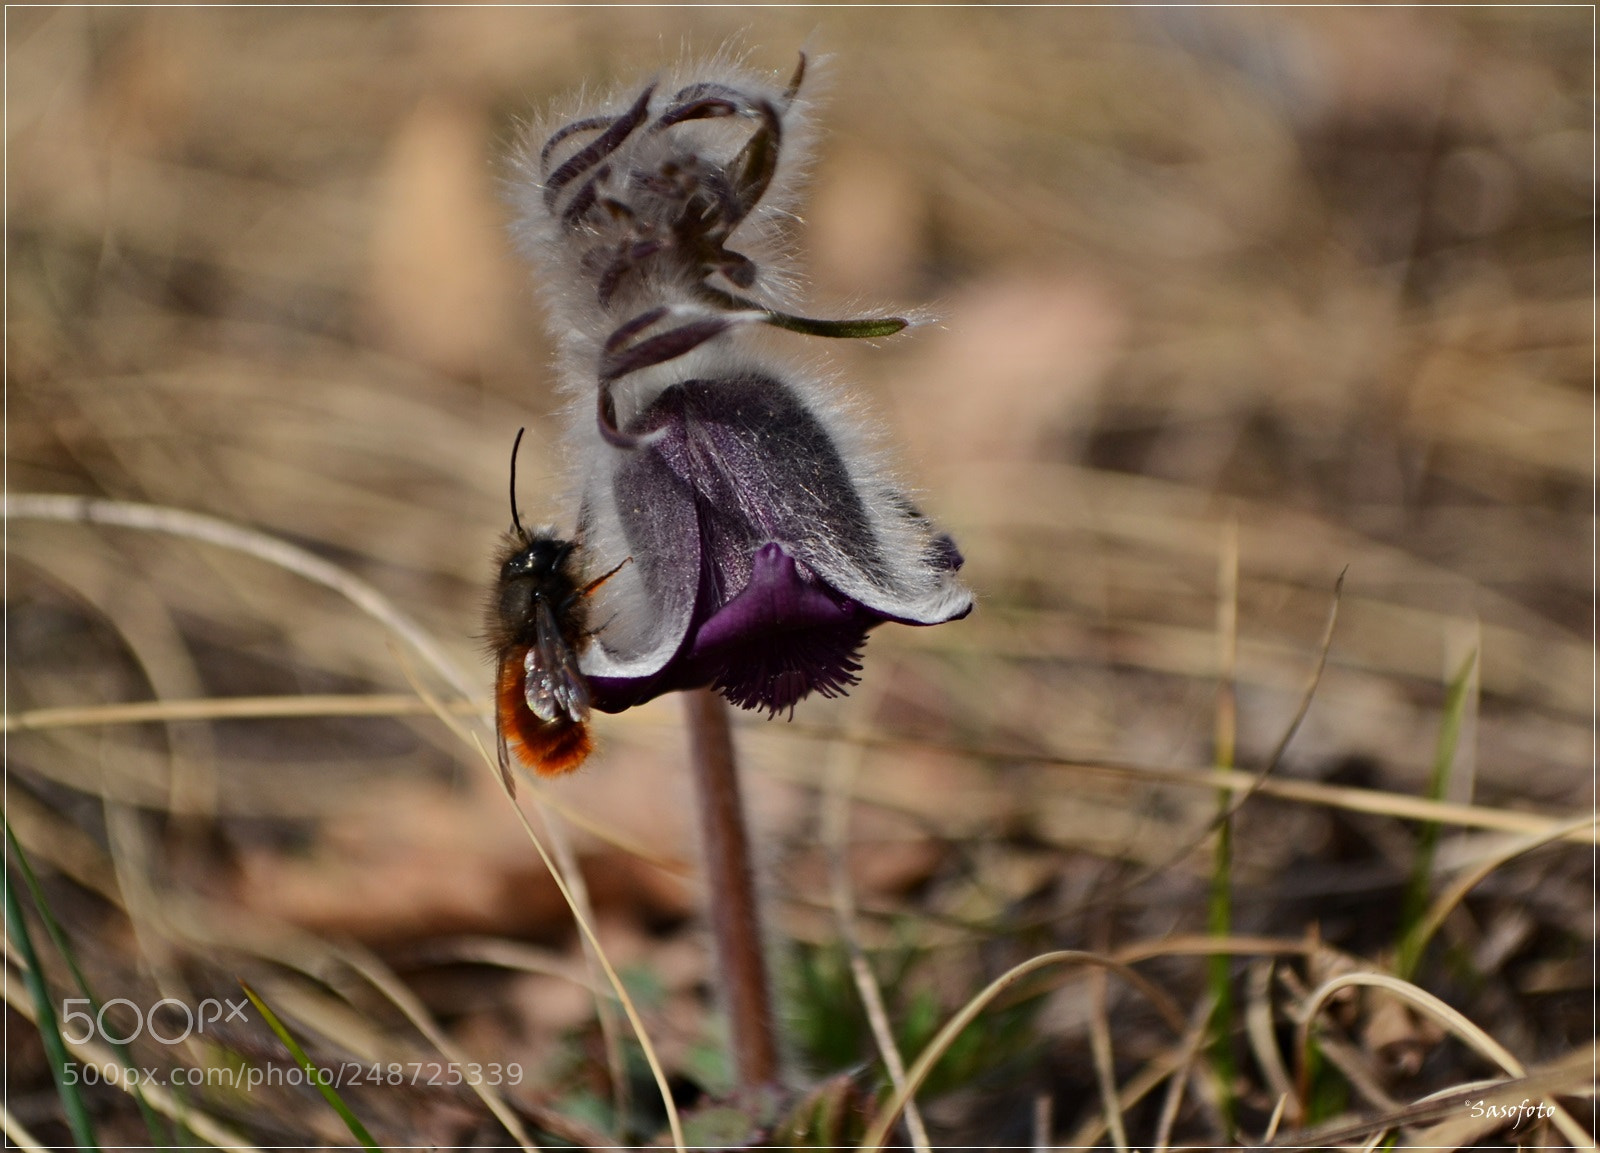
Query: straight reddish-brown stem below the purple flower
point(730, 888)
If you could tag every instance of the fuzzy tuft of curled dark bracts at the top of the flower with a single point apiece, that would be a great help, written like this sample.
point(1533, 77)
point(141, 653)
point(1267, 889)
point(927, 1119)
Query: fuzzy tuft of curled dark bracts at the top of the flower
point(634, 202)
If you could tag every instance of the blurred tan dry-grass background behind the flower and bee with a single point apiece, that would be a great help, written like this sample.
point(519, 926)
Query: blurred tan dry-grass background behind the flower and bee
point(1306, 292)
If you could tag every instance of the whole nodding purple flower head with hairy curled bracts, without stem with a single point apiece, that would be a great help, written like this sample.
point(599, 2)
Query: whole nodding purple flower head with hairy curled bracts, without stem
point(767, 535)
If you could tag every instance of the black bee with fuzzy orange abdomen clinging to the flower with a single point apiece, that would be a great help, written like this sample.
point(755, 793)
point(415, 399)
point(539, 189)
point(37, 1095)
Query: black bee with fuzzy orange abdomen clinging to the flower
point(537, 626)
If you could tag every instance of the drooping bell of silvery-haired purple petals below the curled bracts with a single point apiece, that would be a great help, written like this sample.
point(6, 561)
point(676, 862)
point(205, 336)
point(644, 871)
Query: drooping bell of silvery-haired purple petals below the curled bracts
point(746, 521)
